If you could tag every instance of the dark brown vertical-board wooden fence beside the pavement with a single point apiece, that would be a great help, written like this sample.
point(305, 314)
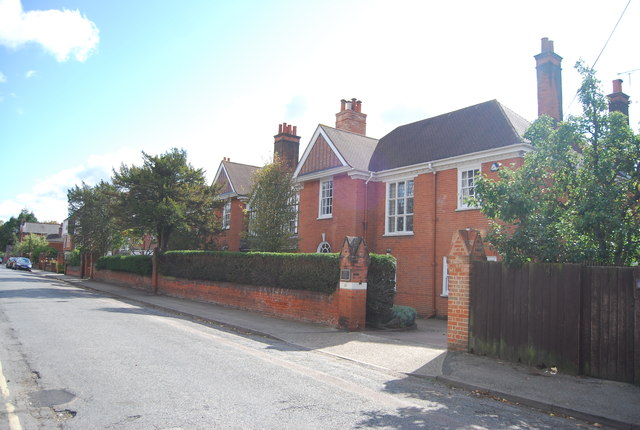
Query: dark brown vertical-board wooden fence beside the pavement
point(580, 319)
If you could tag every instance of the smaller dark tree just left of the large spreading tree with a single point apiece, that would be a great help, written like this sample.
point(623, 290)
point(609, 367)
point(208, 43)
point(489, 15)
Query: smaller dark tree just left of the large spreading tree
point(92, 219)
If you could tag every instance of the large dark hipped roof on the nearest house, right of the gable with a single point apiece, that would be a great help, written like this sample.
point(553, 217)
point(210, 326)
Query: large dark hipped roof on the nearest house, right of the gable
point(475, 128)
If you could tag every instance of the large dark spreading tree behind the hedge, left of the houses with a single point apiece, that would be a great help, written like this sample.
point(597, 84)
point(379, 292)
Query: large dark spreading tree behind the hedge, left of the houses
point(165, 195)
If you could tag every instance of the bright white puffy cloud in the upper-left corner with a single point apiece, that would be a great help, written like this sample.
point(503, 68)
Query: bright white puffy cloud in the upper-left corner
point(64, 33)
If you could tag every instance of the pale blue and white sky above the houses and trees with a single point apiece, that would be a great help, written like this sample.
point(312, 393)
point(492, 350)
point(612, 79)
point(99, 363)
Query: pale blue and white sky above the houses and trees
point(86, 86)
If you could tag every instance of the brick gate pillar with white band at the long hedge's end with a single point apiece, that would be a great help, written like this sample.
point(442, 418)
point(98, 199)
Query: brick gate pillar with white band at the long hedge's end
point(352, 298)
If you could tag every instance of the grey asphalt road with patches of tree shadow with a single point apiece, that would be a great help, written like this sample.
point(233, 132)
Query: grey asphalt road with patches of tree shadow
point(71, 358)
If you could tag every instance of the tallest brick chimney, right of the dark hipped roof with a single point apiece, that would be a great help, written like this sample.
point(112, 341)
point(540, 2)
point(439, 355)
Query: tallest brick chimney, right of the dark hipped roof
point(549, 75)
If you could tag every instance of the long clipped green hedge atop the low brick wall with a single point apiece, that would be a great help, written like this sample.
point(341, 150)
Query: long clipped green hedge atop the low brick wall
point(311, 272)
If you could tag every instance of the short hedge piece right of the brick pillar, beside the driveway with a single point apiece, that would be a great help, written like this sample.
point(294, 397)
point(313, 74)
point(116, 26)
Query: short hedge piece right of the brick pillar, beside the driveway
point(381, 288)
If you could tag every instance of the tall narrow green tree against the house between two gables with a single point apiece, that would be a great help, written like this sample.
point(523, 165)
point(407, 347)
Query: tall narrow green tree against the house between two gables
point(273, 209)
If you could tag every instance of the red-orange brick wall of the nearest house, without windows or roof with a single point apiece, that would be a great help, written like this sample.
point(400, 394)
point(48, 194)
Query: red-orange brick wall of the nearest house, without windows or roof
point(419, 256)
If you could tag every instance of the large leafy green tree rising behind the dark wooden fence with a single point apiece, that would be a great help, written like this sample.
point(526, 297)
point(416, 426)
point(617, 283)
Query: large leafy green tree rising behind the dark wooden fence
point(576, 197)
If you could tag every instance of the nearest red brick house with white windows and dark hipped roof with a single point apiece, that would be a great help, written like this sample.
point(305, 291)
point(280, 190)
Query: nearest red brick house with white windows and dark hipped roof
point(406, 193)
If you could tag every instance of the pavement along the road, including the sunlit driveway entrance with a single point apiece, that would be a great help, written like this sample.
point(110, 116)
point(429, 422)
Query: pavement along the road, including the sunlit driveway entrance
point(420, 352)
